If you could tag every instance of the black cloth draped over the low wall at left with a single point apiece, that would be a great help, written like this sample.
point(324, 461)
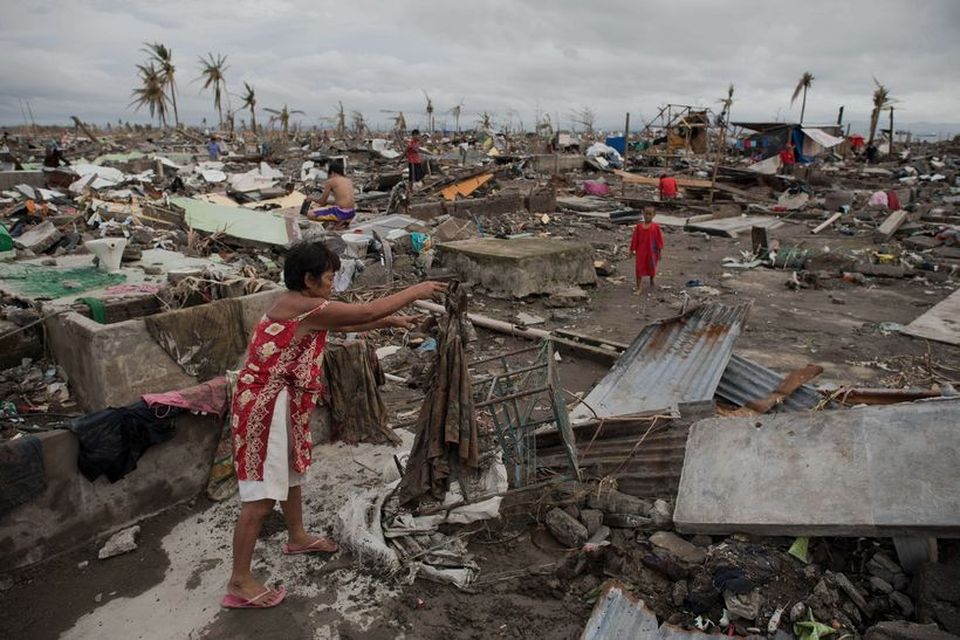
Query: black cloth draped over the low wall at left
point(112, 440)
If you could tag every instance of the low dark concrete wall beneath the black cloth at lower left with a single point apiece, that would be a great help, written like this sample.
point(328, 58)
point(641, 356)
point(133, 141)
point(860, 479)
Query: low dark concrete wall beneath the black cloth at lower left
point(73, 511)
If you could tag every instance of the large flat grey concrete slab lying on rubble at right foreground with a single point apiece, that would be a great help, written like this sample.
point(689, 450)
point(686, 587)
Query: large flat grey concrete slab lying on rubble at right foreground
point(875, 471)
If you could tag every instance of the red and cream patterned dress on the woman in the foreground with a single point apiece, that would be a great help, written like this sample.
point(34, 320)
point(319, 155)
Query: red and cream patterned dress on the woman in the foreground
point(277, 360)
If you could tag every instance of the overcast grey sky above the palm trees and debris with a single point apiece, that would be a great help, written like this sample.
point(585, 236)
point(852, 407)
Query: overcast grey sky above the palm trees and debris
point(77, 57)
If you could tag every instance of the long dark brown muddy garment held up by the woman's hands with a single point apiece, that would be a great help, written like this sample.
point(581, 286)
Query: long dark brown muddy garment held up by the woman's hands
point(447, 435)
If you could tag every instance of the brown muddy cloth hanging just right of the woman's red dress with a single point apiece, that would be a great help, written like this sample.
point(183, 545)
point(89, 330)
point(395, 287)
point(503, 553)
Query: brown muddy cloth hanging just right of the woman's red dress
point(353, 376)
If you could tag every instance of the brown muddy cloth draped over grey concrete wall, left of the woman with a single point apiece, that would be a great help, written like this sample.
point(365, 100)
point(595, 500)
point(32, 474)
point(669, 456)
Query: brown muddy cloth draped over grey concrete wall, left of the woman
point(205, 340)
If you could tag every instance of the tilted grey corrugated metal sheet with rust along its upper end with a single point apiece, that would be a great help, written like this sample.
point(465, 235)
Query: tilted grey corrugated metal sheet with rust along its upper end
point(672, 361)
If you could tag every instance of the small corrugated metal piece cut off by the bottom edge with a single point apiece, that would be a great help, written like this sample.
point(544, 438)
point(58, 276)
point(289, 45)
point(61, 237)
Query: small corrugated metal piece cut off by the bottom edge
point(618, 615)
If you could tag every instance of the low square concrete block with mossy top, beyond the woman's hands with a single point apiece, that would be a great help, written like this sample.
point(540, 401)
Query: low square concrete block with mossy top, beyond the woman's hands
point(521, 267)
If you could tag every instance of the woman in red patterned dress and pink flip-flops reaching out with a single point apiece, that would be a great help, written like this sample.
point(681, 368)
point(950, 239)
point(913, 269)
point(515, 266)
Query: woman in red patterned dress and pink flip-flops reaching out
point(277, 390)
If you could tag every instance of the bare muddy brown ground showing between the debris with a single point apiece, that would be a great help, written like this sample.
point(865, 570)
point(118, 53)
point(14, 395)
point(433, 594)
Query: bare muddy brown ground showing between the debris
point(168, 587)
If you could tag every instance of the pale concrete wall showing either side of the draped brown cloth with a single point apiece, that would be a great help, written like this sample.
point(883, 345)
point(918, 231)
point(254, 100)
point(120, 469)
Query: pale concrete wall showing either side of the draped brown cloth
point(114, 364)
